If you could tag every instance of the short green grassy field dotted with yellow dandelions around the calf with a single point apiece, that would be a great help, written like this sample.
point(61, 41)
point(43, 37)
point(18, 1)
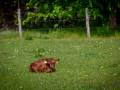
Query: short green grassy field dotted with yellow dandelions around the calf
point(85, 64)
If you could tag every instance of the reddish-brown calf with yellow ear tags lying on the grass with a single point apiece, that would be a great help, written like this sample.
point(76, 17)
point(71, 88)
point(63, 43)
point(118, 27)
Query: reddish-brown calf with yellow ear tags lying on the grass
point(43, 65)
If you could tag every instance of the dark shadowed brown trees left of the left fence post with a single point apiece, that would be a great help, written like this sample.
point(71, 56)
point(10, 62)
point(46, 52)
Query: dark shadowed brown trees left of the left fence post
point(7, 6)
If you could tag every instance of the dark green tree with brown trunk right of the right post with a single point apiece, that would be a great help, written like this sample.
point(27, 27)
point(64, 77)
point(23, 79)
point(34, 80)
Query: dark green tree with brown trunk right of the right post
point(105, 9)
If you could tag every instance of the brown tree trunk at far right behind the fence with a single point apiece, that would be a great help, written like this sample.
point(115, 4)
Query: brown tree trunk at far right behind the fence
point(113, 21)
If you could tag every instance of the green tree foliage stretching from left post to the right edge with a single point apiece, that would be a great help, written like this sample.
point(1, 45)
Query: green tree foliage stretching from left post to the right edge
point(65, 10)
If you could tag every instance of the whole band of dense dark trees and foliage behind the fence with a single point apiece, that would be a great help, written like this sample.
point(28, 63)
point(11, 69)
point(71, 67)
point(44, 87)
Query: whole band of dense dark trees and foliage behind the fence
point(59, 13)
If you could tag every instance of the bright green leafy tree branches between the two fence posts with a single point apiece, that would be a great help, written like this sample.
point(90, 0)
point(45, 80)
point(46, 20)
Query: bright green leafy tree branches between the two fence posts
point(54, 9)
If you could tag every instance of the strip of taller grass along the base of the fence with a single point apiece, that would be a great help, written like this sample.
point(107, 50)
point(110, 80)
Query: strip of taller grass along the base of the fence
point(54, 34)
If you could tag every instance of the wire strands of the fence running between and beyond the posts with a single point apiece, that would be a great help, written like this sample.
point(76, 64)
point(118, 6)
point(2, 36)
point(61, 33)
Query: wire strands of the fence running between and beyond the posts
point(62, 24)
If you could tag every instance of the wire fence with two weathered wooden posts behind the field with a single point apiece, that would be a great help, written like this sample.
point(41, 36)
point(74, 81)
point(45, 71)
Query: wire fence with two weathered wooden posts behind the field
point(78, 24)
